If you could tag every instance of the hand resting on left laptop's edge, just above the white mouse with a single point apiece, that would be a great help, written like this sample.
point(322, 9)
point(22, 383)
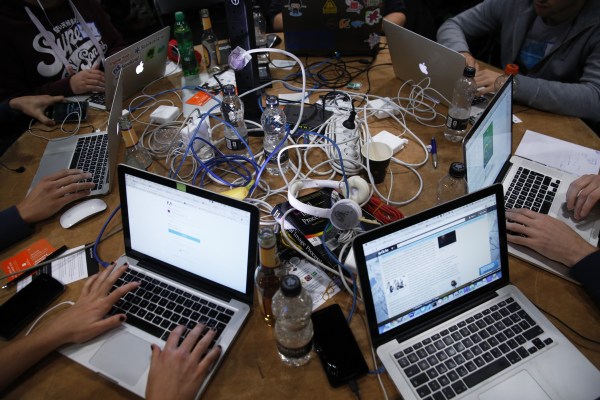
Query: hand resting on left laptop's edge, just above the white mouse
point(52, 193)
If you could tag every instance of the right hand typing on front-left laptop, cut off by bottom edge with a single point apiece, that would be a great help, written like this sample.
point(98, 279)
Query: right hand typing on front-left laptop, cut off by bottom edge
point(177, 372)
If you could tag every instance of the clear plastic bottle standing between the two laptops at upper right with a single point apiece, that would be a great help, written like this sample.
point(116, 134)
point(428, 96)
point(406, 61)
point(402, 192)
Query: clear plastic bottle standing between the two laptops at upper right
point(460, 108)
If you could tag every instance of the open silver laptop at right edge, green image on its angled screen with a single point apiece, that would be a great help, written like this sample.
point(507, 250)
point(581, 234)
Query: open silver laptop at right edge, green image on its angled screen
point(487, 150)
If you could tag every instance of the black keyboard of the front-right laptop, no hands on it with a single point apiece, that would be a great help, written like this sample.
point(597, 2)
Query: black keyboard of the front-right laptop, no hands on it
point(469, 352)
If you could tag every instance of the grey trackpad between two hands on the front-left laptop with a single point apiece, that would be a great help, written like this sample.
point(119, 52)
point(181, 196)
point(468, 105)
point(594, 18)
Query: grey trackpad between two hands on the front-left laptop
point(136, 350)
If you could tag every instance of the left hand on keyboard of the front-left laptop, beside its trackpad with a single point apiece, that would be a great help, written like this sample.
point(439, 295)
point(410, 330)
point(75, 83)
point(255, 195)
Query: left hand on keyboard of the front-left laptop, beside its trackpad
point(87, 319)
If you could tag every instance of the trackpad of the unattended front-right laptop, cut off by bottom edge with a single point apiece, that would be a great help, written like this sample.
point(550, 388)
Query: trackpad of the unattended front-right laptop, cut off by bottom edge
point(519, 386)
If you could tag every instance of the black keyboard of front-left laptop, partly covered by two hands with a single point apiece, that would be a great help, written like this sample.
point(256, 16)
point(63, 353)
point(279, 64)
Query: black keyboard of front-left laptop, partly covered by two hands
point(157, 307)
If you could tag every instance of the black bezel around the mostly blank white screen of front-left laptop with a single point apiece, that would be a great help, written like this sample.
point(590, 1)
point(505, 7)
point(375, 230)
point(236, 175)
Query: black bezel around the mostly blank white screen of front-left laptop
point(175, 273)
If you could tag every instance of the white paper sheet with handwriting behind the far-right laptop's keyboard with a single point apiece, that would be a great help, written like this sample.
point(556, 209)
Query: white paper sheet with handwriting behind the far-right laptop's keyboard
point(560, 154)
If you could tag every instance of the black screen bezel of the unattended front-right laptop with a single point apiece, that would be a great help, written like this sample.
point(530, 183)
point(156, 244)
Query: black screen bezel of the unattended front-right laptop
point(444, 312)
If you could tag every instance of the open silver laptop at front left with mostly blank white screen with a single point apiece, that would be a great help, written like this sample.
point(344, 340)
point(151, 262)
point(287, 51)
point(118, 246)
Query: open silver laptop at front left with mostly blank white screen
point(178, 243)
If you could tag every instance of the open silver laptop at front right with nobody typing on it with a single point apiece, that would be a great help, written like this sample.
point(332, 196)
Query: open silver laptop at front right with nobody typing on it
point(445, 320)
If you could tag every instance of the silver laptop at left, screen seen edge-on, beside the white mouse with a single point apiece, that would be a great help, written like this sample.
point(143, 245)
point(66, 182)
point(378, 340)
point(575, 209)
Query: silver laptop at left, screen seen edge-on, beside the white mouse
point(96, 152)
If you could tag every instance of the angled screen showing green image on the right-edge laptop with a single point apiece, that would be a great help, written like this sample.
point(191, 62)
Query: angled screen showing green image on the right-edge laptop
point(488, 146)
